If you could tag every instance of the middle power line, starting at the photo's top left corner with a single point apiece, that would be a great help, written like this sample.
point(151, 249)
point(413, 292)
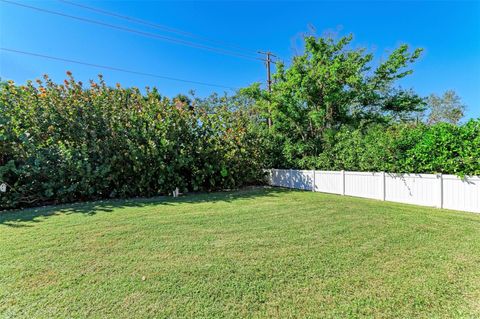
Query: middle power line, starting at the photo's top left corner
point(146, 34)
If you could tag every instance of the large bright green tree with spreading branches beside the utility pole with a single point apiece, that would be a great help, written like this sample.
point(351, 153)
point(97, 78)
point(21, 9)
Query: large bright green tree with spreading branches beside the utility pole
point(332, 84)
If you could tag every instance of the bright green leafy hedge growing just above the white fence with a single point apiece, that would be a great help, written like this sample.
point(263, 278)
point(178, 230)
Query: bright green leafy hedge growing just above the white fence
point(402, 148)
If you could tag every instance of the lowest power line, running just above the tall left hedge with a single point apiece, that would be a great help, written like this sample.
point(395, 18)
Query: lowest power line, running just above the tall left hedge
point(116, 69)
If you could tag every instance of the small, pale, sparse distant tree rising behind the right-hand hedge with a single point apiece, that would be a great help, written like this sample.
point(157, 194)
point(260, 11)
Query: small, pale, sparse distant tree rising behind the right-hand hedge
point(447, 108)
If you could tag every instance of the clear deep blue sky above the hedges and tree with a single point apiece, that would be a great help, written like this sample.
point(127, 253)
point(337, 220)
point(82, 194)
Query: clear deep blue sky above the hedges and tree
point(448, 31)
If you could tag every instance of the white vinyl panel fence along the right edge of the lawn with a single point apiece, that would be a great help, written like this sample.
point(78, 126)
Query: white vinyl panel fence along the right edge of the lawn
point(443, 191)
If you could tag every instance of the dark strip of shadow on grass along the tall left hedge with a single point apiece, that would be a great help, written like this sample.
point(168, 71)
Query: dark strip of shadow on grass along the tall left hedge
point(24, 217)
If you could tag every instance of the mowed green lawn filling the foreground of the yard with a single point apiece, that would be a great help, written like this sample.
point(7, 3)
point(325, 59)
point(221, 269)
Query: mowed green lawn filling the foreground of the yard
point(252, 253)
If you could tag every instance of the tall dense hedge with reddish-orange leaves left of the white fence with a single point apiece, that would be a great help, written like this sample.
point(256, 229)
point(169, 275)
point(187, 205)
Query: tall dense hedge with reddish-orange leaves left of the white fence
point(62, 143)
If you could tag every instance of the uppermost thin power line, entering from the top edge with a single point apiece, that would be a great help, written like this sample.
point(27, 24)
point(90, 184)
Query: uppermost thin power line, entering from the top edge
point(155, 25)
